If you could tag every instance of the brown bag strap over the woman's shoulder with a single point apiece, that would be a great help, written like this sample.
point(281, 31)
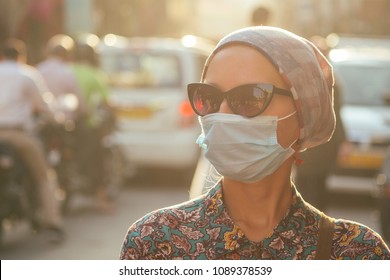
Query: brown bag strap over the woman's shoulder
point(325, 237)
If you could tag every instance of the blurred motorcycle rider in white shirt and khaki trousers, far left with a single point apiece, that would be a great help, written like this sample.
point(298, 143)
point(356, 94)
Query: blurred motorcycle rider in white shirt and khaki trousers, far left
point(22, 92)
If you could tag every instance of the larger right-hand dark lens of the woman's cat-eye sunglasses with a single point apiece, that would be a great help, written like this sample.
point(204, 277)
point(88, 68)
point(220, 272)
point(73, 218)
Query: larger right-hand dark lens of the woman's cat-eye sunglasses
point(248, 101)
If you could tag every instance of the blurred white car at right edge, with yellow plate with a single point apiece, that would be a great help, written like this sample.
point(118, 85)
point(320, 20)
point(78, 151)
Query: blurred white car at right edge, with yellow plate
point(362, 70)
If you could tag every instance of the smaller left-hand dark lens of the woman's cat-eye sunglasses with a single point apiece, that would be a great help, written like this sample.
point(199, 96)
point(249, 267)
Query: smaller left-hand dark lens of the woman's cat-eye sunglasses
point(205, 100)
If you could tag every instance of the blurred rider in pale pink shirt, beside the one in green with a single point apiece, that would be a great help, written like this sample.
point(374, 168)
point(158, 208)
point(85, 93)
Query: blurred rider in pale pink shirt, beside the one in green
point(57, 72)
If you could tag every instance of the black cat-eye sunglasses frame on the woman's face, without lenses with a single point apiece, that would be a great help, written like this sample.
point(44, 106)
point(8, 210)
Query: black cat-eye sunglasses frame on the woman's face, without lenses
point(220, 95)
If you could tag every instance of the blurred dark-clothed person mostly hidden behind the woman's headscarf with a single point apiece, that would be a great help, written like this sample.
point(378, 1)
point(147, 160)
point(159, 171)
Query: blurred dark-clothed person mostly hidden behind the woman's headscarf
point(318, 163)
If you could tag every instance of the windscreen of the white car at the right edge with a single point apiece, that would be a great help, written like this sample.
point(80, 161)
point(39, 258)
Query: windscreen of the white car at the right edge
point(363, 84)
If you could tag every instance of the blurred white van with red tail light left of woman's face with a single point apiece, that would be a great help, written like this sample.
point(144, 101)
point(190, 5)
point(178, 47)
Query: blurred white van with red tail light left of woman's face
point(148, 79)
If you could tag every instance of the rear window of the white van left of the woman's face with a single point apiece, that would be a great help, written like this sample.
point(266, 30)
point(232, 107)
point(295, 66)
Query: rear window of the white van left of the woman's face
point(142, 69)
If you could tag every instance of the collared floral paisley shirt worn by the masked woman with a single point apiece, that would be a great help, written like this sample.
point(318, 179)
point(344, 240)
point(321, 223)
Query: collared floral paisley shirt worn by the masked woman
point(202, 229)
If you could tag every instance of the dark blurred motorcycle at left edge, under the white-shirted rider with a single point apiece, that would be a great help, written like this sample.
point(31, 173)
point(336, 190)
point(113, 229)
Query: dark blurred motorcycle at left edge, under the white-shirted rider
point(18, 195)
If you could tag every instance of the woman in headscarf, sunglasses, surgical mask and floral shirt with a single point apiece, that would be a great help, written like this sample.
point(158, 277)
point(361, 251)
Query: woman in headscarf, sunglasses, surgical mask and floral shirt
point(266, 94)
